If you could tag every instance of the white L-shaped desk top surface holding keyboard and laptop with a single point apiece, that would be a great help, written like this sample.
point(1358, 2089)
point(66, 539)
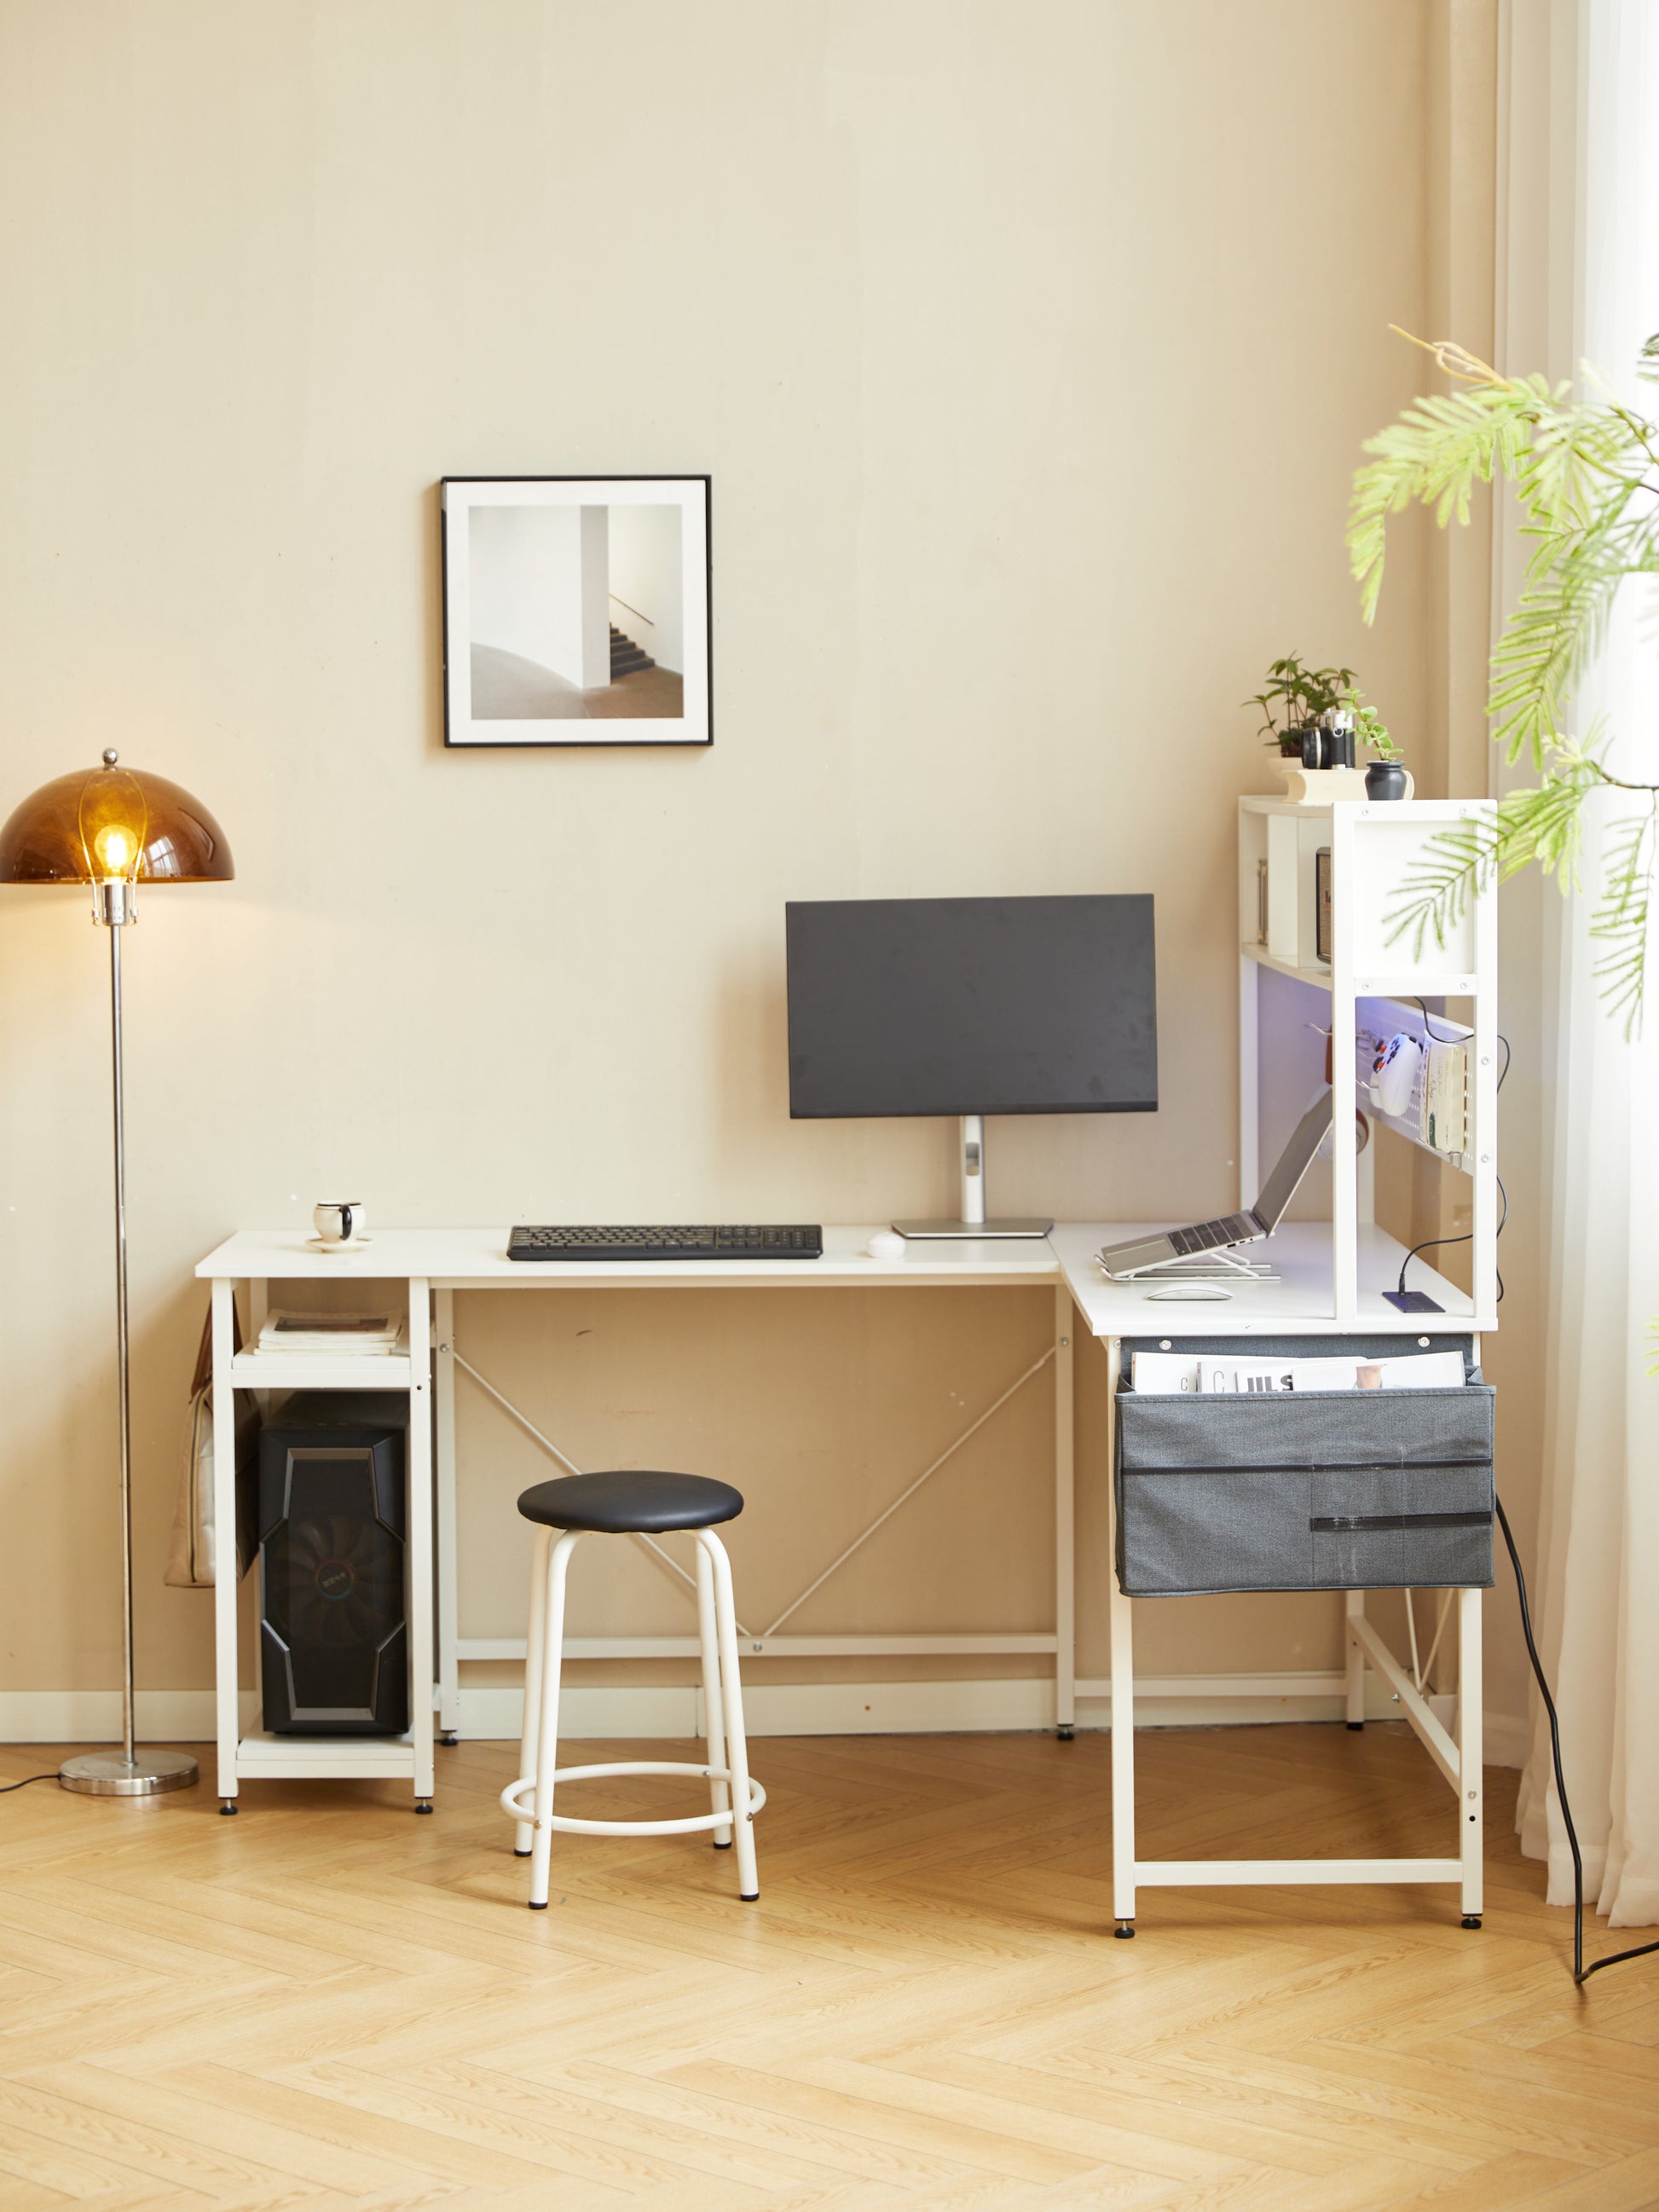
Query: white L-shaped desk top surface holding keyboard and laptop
point(477, 1260)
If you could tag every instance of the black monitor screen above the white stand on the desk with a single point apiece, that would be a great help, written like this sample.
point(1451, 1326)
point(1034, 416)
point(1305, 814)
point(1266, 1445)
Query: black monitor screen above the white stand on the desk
point(972, 1005)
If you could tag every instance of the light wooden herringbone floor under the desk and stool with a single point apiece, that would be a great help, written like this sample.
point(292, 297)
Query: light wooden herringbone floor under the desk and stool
point(333, 2003)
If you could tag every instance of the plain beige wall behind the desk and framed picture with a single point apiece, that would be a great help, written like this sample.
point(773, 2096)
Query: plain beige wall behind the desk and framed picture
point(1030, 353)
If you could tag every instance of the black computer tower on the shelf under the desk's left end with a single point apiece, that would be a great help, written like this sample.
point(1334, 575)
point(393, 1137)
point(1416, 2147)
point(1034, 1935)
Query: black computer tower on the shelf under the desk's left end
point(333, 1565)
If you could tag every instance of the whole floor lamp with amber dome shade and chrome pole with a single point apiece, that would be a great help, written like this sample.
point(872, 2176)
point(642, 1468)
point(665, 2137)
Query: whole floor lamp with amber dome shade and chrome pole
point(109, 828)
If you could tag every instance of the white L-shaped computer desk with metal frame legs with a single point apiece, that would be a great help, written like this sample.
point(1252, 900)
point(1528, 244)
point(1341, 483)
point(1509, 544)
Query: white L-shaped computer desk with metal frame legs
point(437, 1264)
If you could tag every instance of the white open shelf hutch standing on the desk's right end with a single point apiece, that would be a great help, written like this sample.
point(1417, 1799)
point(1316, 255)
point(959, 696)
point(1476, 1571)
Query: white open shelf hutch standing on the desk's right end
point(1368, 988)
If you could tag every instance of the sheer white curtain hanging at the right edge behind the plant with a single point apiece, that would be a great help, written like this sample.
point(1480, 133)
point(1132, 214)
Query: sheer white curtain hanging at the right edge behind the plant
point(1598, 1574)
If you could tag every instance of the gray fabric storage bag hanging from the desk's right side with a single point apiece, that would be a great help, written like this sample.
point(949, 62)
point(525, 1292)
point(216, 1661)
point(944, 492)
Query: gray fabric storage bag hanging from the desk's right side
point(1306, 1490)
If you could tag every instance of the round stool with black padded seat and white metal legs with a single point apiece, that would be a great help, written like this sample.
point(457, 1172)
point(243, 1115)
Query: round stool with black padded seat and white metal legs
point(632, 1503)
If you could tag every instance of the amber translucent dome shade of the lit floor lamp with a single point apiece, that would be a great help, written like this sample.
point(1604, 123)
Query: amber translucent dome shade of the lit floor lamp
point(114, 824)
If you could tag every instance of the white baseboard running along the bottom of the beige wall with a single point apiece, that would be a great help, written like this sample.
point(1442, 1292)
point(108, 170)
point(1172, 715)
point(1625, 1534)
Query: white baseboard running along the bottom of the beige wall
point(808, 1709)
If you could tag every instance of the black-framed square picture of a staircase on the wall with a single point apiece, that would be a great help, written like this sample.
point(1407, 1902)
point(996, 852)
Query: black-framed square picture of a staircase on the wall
point(576, 612)
